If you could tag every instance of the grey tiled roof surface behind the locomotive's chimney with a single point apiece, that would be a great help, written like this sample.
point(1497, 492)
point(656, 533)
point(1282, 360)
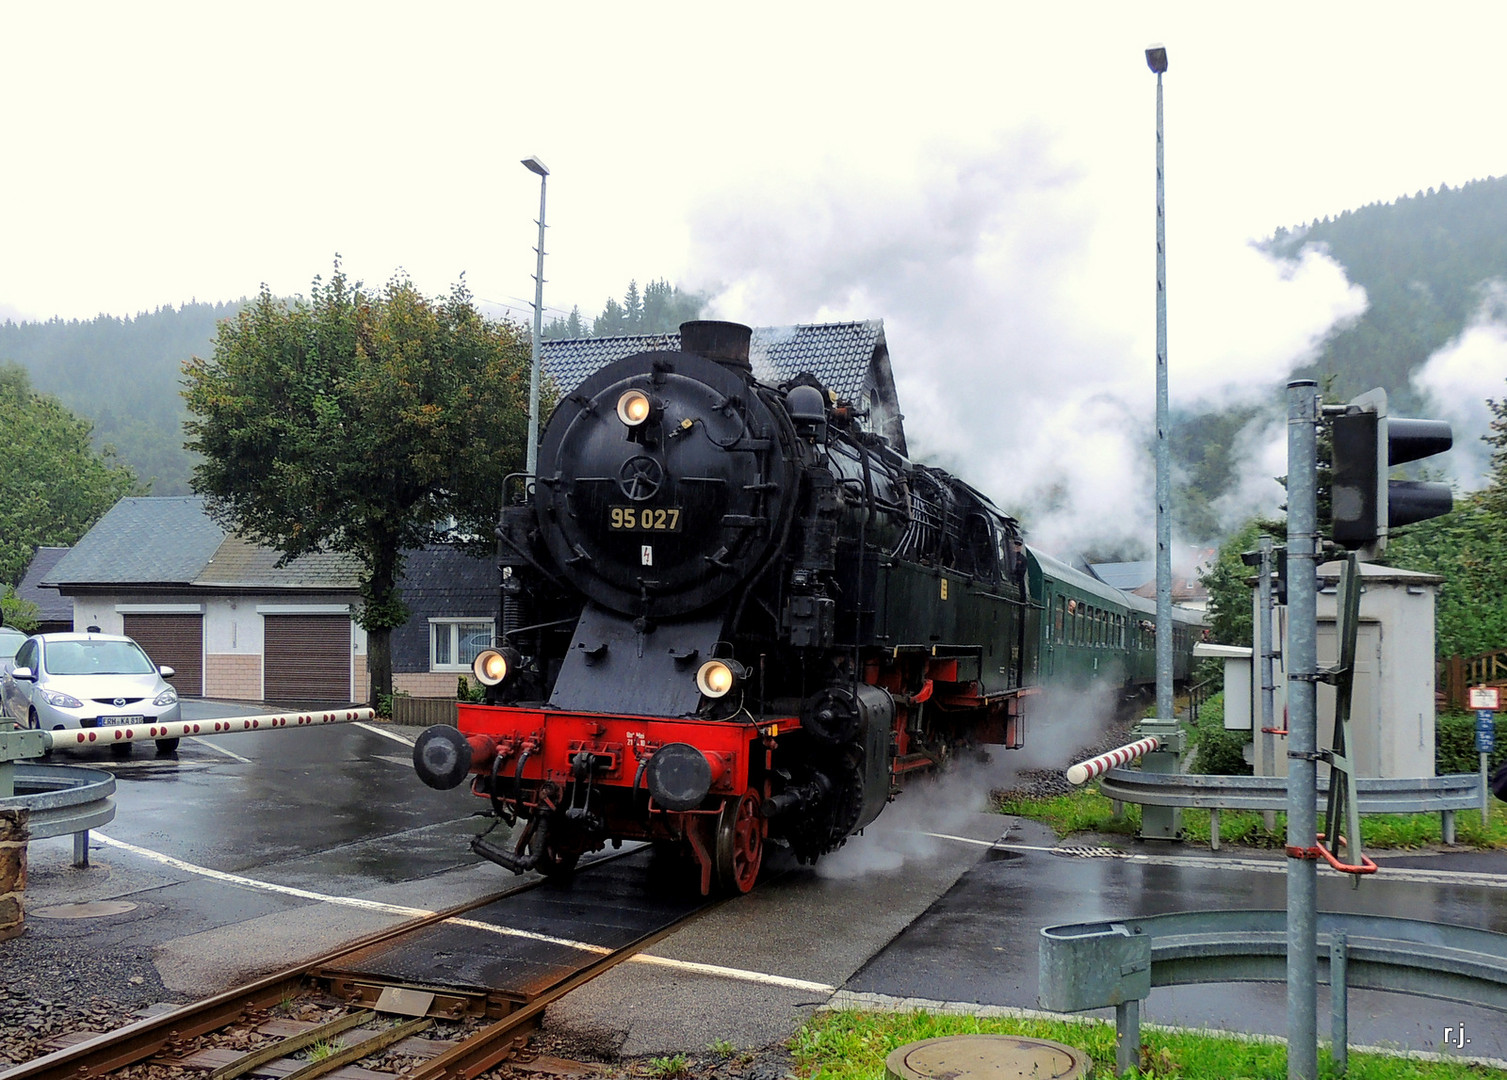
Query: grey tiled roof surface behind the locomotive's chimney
point(836, 353)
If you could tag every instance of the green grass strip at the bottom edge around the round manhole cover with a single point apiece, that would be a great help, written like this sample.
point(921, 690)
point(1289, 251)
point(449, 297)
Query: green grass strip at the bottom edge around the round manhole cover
point(852, 1046)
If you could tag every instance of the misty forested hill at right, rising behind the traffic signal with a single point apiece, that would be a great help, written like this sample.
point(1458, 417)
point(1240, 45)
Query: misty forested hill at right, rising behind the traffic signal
point(1423, 263)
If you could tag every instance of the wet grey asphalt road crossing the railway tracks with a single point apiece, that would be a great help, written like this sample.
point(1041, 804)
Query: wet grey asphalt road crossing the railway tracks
point(334, 822)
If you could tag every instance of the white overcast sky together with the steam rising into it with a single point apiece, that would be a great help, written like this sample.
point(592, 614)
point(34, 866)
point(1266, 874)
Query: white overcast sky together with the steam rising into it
point(980, 177)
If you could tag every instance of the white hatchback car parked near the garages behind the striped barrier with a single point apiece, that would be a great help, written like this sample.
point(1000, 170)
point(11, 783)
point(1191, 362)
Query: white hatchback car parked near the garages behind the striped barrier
point(66, 682)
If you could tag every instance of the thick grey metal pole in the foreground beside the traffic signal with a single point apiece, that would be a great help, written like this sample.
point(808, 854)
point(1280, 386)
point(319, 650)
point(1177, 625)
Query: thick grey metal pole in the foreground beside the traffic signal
point(1303, 769)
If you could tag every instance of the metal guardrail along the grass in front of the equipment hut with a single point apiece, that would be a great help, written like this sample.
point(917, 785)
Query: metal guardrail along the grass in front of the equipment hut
point(1429, 795)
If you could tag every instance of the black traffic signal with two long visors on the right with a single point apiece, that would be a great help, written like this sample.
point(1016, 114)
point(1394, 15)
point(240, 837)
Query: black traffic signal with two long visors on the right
point(1365, 502)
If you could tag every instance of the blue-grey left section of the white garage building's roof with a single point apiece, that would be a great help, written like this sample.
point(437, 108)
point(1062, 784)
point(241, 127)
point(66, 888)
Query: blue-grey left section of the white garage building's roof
point(142, 542)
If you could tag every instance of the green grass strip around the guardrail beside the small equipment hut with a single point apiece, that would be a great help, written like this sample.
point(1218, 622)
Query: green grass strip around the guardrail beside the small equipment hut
point(1087, 811)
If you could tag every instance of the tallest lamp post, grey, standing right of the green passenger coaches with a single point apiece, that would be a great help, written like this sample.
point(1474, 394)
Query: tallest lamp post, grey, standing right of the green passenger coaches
point(1157, 61)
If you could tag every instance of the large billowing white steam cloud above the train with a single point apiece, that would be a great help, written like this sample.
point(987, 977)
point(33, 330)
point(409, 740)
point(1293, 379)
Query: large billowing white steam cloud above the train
point(1019, 308)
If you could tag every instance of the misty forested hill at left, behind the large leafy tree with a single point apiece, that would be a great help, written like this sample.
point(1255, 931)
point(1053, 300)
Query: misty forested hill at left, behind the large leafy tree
point(123, 376)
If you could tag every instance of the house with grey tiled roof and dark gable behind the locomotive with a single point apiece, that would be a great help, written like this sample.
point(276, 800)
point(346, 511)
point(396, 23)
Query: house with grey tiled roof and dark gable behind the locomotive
point(849, 359)
